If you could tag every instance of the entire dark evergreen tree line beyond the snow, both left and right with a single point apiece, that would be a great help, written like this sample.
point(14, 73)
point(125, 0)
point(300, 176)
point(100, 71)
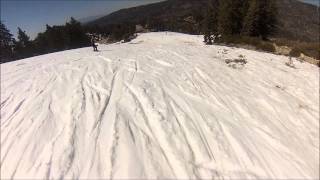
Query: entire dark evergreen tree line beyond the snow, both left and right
point(222, 18)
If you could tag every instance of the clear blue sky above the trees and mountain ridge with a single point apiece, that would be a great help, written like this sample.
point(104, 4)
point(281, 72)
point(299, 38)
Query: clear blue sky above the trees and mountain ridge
point(32, 15)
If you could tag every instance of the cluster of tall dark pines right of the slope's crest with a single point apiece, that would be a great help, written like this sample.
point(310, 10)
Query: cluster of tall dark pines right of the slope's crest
point(227, 18)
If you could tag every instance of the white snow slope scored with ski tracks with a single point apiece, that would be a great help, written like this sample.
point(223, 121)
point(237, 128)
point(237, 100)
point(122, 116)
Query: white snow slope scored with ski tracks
point(162, 106)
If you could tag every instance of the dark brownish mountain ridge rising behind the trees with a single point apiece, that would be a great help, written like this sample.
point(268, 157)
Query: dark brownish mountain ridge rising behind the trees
point(296, 20)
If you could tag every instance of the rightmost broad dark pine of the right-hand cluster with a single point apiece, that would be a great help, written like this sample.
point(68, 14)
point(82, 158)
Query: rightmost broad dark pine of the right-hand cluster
point(260, 19)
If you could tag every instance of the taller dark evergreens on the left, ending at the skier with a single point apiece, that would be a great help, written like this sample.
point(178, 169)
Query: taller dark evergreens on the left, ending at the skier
point(54, 38)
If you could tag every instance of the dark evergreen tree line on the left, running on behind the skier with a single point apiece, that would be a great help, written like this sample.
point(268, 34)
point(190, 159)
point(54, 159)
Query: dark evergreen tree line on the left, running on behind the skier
point(57, 38)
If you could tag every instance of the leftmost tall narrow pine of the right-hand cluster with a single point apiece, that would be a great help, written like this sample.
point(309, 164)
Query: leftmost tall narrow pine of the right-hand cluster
point(210, 23)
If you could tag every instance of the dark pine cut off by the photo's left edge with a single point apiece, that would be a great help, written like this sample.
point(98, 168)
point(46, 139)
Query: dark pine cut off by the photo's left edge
point(6, 44)
